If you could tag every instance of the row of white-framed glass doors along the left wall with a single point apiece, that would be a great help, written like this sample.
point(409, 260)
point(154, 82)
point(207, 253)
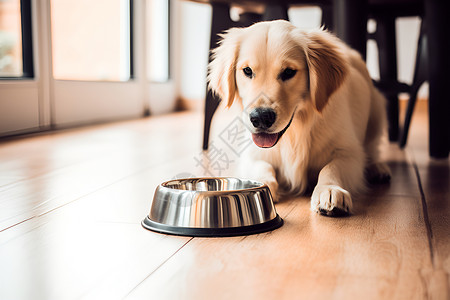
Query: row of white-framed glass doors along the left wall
point(94, 61)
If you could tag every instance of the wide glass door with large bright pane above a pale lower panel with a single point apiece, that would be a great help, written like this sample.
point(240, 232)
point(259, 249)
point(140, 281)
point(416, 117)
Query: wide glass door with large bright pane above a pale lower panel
point(91, 62)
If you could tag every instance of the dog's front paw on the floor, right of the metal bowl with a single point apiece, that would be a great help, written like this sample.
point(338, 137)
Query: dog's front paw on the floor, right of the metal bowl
point(331, 200)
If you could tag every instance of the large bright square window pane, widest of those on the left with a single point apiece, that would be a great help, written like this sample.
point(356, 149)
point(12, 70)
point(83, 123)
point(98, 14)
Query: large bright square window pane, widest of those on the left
point(91, 40)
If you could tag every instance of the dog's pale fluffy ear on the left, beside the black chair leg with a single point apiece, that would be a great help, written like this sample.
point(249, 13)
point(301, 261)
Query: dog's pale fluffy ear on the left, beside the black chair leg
point(222, 68)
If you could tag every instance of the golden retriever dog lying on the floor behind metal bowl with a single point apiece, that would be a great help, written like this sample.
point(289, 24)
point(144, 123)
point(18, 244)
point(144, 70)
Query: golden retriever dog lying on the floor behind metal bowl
point(315, 118)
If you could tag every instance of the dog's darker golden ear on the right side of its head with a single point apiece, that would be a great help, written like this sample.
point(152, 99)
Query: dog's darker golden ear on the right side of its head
point(326, 64)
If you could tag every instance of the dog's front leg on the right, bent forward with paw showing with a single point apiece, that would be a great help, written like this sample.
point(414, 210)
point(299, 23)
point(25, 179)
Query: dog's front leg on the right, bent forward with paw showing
point(343, 174)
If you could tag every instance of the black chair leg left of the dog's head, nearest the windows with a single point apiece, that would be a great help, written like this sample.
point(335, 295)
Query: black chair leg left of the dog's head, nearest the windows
point(220, 21)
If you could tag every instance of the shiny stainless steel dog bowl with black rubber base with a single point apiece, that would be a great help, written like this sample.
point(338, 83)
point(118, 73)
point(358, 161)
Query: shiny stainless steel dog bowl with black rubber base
point(212, 207)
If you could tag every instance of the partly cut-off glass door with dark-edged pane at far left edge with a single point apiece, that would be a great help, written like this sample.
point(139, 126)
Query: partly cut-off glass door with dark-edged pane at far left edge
point(19, 93)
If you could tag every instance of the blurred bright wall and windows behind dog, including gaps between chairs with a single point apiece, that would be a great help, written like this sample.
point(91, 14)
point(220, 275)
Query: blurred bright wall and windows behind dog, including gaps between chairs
point(66, 63)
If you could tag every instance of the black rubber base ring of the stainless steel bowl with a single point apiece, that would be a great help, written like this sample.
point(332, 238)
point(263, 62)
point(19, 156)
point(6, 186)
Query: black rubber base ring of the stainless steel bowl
point(213, 232)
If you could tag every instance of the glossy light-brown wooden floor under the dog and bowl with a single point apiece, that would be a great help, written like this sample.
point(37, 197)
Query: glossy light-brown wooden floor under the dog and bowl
point(71, 203)
